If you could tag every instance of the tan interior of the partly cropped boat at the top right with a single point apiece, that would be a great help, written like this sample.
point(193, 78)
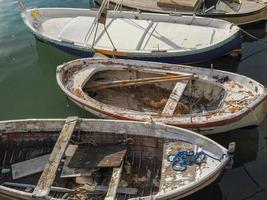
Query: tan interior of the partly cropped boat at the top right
point(202, 7)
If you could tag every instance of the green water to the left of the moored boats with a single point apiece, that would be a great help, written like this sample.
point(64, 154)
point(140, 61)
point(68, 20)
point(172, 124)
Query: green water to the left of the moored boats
point(27, 68)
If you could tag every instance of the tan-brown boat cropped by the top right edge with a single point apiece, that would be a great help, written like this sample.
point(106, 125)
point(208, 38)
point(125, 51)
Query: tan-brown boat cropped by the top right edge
point(237, 12)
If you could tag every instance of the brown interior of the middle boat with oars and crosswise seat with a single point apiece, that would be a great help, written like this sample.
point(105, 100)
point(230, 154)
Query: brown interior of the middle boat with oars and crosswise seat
point(152, 91)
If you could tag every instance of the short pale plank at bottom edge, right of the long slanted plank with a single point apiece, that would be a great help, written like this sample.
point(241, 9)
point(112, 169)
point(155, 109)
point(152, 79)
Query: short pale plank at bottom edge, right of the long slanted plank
point(114, 183)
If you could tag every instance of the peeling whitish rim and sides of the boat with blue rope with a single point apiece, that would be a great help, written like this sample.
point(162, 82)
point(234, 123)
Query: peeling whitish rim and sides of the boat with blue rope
point(47, 129)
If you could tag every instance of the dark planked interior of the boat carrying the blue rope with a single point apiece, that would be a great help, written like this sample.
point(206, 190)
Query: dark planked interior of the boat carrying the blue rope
point(118, 166)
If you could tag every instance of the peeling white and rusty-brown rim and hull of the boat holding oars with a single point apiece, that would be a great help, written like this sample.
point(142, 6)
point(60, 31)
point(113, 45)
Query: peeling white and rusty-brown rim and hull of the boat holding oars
point(230, 115)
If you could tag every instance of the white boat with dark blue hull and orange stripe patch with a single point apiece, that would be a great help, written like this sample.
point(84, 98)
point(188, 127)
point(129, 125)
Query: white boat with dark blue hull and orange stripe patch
point(131, 35)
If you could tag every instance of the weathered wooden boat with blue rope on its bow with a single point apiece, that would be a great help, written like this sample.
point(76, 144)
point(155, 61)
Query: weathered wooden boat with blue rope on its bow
point(103, 159)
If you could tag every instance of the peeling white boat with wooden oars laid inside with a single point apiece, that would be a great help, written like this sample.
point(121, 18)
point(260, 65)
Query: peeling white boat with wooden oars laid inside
point(205, 100)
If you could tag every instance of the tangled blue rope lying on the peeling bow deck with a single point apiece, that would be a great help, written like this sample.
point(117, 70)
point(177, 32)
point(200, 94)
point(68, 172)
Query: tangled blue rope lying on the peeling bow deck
point(182, 159)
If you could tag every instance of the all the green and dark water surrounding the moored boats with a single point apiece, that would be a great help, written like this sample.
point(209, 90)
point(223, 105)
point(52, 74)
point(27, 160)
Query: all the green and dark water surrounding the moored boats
point(28, 90)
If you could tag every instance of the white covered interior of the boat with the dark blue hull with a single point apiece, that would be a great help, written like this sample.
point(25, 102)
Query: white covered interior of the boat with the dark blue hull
point(154, 34)
